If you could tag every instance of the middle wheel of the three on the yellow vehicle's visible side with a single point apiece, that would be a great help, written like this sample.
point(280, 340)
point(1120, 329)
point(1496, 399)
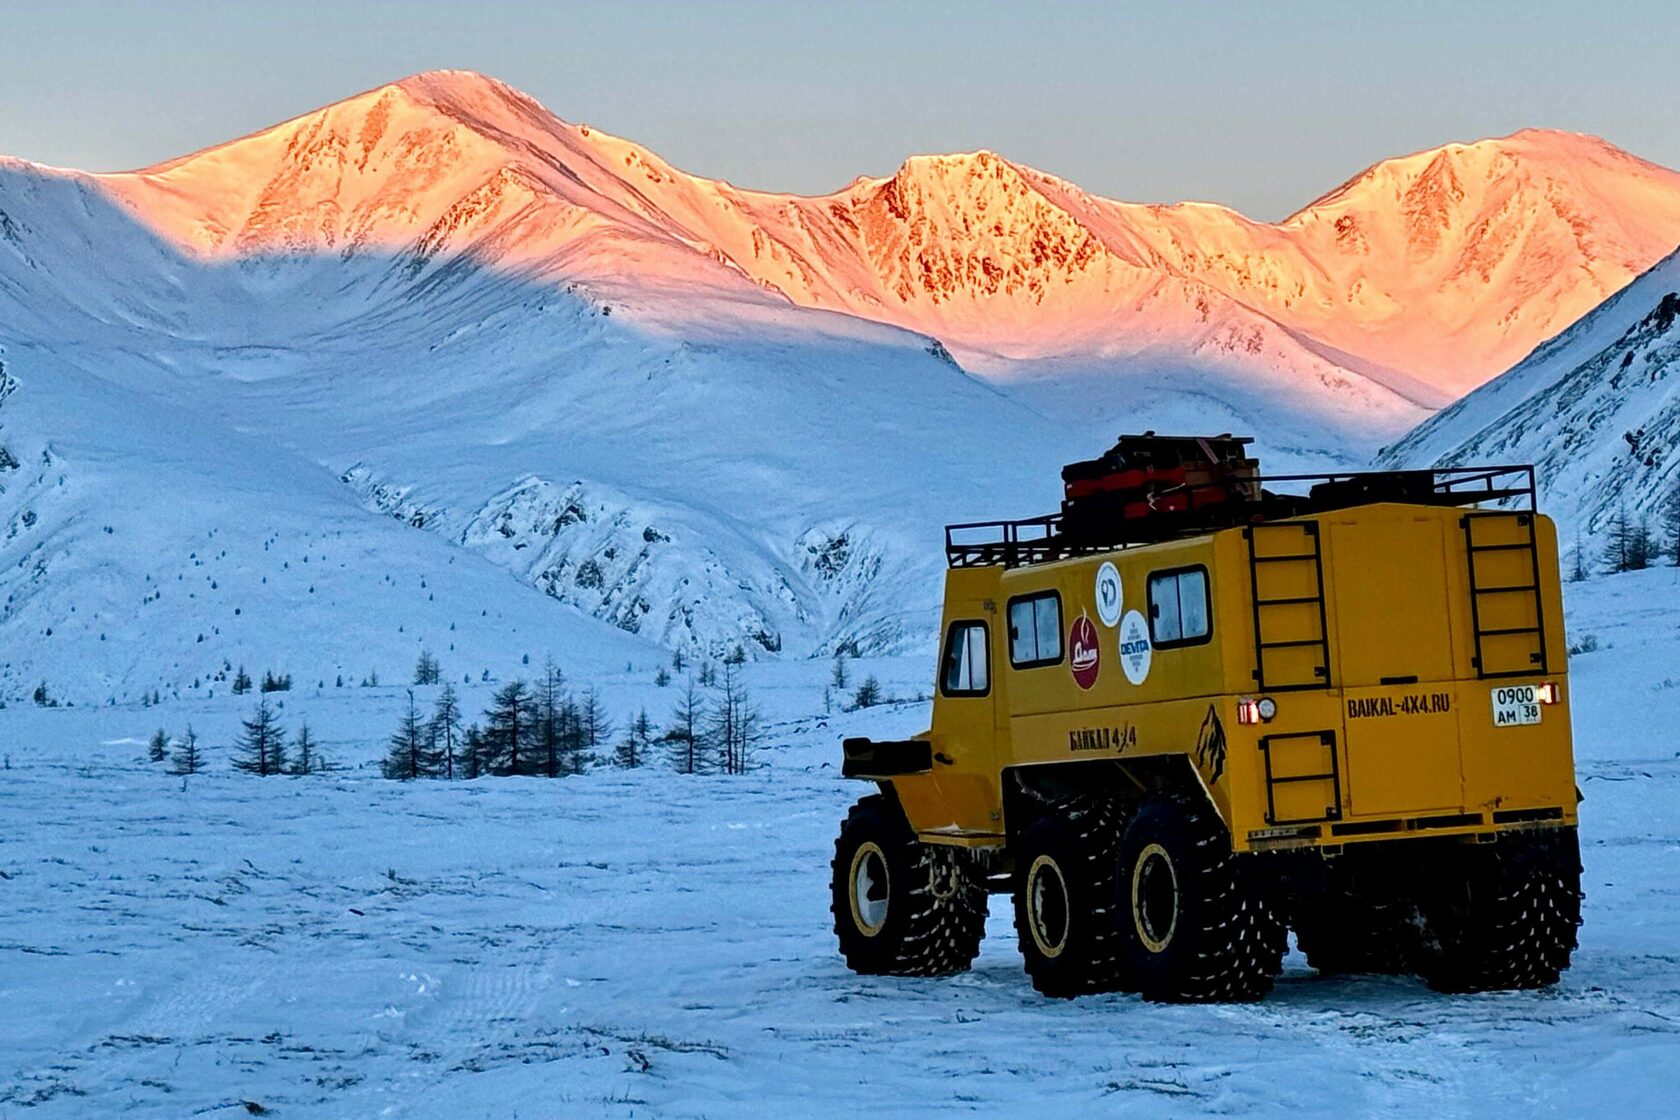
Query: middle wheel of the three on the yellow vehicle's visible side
point(1066, 898)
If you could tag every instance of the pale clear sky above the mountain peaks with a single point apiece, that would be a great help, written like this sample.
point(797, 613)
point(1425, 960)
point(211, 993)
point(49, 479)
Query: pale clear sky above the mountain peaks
point(1259, 107)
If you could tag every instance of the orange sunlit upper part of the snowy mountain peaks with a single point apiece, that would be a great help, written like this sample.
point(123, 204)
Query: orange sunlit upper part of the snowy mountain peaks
point(1425, 275)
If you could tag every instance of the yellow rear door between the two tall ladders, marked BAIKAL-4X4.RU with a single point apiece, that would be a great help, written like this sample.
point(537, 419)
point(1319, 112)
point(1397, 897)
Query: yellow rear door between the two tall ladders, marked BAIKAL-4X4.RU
point(1395, 664)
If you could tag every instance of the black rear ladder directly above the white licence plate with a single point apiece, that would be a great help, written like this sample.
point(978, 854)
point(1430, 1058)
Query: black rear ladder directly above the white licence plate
point(1506, 612)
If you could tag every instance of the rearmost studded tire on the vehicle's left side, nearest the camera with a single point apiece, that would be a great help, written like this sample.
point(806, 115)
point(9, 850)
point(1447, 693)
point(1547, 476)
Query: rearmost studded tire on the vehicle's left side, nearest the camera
point(1197, 924)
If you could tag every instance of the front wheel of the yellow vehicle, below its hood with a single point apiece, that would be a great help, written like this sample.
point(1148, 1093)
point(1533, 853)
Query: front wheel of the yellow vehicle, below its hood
point(903, 908)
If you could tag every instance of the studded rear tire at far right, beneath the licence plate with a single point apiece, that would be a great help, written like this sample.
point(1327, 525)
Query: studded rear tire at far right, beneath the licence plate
point(1509, 919)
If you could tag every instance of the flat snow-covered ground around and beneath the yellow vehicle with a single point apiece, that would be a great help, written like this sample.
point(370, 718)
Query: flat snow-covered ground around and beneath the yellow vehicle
point(646, 945)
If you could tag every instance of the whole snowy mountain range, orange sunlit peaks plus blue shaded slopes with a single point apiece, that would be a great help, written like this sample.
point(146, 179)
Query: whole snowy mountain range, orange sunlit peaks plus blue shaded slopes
point(475, 338)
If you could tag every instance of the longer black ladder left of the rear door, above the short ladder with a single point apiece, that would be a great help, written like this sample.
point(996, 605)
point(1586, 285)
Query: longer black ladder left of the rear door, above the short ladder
point(1289, 553)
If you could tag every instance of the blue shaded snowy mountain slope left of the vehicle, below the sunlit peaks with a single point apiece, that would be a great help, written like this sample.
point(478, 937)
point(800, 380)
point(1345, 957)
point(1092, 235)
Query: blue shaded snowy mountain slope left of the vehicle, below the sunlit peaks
point(468, 446)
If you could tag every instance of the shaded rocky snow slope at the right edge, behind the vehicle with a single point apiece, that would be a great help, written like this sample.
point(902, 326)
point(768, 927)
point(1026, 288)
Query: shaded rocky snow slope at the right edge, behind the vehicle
point(1595, 409)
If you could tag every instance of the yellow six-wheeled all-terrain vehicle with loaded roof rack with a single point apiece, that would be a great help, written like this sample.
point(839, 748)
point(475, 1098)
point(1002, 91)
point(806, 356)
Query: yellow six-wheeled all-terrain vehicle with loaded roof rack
point(1192, 713)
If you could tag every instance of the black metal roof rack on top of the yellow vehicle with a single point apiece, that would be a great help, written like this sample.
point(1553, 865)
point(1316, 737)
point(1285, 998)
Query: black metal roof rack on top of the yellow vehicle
point(1224, 500)
